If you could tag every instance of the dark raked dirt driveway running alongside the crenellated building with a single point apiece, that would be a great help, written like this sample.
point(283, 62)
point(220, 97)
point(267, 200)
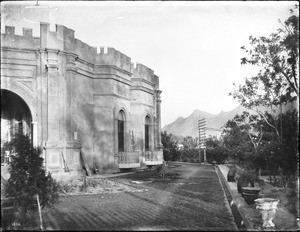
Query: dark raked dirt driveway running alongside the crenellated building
point(190, 198)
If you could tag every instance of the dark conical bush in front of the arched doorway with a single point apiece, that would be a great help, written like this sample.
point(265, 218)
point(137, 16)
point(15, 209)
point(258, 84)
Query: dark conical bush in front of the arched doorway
point(28, 176)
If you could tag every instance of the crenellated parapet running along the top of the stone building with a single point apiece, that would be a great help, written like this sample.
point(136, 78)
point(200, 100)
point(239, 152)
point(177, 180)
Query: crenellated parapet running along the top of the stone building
point(63, 38)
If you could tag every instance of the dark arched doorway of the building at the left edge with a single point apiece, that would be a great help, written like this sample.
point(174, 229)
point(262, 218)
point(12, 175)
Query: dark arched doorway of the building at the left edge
point(15, 118)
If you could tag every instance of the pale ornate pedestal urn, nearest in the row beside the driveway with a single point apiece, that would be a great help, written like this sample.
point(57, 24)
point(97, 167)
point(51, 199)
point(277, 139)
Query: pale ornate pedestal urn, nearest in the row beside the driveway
point(267, 208)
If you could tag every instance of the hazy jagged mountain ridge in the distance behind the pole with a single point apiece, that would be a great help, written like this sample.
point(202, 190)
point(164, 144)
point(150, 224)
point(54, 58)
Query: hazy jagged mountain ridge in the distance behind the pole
point(189, 126)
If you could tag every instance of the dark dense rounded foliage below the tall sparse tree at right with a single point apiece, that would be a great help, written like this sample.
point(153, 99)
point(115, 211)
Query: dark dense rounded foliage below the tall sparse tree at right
point(262, 150)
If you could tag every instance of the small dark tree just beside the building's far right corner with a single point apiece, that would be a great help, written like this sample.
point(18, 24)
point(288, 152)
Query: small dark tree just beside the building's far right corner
point(170, 149)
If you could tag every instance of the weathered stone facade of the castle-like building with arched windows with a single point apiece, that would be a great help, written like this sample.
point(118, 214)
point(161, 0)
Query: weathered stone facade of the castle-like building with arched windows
point(88, 108)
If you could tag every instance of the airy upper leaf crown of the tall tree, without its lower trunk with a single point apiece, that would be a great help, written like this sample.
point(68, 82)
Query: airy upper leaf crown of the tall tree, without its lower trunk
point(277, 56)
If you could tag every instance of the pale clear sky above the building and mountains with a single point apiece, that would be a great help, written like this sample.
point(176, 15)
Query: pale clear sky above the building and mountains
point(194, 47)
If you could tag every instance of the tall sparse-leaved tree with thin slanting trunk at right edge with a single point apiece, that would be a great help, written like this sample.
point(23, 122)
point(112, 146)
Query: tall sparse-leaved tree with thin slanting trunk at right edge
point(276, 83)
